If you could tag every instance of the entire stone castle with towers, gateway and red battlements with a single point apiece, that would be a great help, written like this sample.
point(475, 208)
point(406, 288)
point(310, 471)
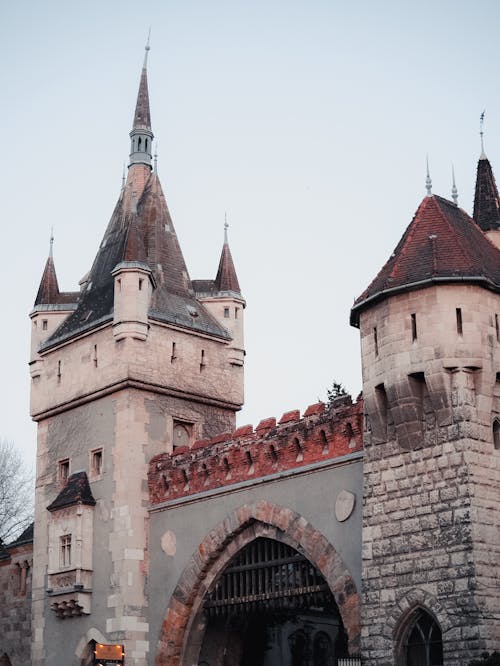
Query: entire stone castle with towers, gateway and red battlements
point(363, 532)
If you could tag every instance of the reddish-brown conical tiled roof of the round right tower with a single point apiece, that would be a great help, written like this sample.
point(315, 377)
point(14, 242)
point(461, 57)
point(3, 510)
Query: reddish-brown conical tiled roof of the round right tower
point(442, 243)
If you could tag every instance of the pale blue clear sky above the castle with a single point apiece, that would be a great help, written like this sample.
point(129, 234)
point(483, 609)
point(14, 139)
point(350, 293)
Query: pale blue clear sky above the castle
point(306, 121)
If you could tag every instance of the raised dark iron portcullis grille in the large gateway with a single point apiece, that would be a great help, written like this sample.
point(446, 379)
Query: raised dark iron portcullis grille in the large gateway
point(267, 576)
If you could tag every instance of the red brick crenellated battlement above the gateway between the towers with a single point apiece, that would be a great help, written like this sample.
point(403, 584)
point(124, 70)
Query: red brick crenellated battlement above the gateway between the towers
point(321, 433)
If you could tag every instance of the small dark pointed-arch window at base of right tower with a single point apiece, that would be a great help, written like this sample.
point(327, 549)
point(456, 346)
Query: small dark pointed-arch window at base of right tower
point(423, 645)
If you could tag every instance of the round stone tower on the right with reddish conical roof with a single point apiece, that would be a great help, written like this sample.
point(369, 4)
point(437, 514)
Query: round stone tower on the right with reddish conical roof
point(430, 343)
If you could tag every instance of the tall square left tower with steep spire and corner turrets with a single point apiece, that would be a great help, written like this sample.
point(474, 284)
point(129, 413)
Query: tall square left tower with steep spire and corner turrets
point(141, 360)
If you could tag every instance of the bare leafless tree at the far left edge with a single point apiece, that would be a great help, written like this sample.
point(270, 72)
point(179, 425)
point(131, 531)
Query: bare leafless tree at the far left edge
point(16, 493)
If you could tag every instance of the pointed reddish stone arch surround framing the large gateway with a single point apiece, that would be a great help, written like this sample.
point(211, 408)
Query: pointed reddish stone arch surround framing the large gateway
point(183, 617)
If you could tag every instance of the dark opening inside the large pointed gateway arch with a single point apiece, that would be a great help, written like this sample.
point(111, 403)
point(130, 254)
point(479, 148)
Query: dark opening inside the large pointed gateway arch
point(271, 606)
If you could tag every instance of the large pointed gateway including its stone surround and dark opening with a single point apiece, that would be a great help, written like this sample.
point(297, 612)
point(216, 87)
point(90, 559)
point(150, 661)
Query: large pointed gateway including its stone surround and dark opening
point(263, 587)
